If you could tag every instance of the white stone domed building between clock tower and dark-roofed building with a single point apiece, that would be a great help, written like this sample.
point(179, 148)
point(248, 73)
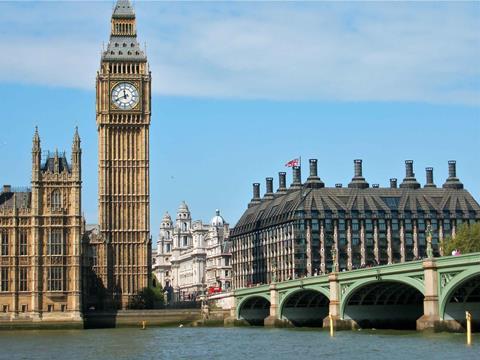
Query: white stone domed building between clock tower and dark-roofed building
point(192, 257)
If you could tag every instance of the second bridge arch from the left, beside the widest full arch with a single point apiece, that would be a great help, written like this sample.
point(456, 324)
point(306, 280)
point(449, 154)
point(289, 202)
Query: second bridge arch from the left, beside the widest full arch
point(305, 307)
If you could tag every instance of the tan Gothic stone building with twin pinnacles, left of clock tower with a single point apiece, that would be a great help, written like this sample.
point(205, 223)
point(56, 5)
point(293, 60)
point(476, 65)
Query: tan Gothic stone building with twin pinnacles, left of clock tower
point(40, 236)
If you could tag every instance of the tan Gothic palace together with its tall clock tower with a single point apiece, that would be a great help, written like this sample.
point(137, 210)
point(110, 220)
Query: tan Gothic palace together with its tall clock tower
point(52, 267)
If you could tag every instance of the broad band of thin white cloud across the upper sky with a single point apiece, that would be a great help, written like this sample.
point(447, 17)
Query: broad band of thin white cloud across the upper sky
point(299, 51)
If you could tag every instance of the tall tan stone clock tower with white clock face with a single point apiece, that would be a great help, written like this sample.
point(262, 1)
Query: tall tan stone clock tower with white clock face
point(123, 121)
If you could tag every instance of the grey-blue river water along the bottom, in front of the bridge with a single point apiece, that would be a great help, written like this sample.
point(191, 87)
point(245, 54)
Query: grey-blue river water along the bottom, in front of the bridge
point(233, 343)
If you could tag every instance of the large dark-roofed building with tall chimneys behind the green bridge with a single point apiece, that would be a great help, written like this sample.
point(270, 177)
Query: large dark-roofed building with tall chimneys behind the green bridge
point(301, 230)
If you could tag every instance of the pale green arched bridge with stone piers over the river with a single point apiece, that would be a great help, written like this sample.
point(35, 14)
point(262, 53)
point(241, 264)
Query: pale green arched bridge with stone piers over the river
point(426, 294)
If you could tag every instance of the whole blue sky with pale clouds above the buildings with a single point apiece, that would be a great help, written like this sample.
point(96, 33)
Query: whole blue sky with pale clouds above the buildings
point(240, 88)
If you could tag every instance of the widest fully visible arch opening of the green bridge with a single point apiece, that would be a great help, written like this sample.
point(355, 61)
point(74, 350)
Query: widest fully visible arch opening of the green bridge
point(391, 303)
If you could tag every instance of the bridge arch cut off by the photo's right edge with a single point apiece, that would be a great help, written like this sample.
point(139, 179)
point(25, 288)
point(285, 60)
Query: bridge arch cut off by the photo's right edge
point(462, 294)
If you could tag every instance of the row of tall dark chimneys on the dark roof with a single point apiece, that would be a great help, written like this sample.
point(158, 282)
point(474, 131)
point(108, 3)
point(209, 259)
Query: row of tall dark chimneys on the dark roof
point(358, 181)
